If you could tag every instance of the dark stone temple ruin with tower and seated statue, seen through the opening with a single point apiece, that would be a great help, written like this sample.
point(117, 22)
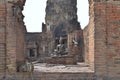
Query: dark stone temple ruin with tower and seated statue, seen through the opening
point(58, 28)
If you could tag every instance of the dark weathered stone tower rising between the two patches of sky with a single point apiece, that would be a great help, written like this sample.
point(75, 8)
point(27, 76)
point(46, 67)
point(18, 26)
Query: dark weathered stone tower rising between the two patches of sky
point(61, 15)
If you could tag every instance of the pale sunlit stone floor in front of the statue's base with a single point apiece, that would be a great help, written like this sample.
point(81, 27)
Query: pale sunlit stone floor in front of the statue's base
point(43, 67)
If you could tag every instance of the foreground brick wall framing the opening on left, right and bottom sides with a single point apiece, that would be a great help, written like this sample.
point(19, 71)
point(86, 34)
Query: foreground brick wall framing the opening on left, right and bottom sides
point(101, 36)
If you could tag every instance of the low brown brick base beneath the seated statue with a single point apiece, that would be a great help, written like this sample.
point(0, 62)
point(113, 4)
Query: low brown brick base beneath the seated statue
point(68, 60)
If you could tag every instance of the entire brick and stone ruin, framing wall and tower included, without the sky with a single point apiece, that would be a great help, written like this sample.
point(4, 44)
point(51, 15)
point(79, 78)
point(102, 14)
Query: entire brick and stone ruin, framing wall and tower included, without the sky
point(62, 51)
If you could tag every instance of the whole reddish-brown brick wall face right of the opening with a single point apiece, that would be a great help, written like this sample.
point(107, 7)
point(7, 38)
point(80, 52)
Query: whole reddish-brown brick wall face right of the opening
point(107, 40)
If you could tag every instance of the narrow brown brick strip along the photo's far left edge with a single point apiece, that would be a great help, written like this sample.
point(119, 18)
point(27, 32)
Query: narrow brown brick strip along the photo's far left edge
point(2, 38)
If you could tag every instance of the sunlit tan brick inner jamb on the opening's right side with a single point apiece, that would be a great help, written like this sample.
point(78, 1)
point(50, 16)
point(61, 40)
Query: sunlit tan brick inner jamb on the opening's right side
point(89, 41)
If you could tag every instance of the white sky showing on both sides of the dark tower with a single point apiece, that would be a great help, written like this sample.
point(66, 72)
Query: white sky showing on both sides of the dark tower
point(34, 12)
